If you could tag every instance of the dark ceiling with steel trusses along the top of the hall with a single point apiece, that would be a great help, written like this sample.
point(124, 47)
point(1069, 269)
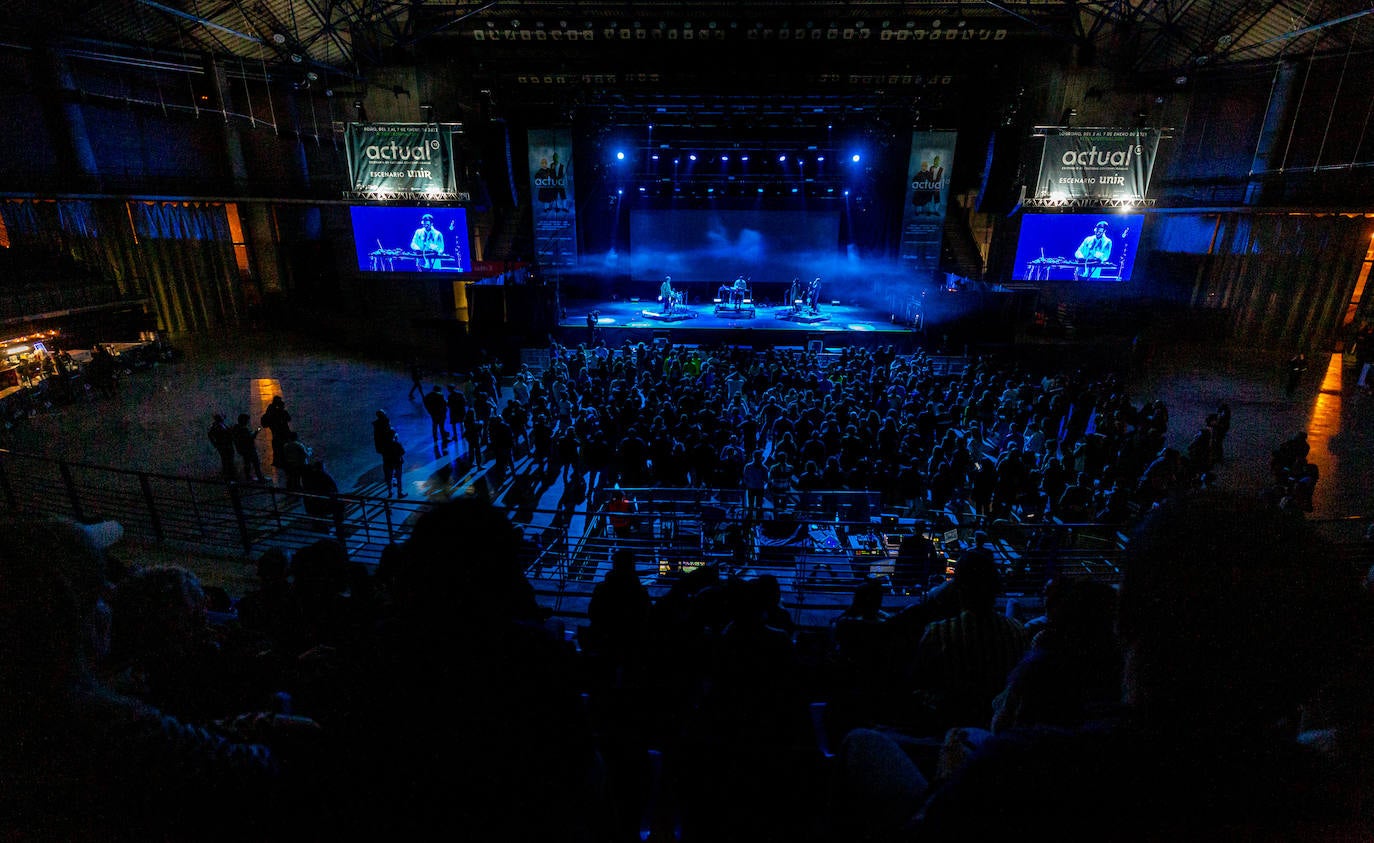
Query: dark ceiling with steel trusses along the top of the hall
point(350, 38)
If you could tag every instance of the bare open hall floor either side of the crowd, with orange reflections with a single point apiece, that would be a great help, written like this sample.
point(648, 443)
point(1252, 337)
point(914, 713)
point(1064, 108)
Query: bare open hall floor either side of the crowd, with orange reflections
point(159, 421)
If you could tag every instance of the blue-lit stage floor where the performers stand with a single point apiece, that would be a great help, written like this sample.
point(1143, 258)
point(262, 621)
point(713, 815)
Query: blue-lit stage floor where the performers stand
point(711, 323)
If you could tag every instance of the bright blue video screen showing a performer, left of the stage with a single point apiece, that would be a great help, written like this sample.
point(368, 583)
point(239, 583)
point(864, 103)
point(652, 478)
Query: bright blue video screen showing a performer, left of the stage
point(395, 240)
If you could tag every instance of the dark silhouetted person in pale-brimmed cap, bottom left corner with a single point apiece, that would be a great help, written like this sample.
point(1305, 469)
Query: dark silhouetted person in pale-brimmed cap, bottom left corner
point(82, 761)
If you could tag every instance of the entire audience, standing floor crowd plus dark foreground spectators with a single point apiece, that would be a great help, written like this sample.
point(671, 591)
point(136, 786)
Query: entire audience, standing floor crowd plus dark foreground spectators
point(1219, 694)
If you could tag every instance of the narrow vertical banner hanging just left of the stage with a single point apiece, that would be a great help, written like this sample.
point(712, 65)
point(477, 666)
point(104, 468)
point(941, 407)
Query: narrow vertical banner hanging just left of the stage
point(552, 194)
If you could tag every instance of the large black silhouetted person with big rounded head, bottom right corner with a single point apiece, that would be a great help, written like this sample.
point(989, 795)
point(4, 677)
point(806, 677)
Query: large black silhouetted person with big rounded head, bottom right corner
point(1230, 619)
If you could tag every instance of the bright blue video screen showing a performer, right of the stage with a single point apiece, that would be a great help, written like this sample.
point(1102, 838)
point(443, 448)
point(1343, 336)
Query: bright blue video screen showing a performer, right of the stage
point(1067, 248)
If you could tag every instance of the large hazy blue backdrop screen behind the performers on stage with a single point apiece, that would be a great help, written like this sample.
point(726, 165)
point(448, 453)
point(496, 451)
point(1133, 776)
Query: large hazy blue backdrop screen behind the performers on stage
point(721, 245)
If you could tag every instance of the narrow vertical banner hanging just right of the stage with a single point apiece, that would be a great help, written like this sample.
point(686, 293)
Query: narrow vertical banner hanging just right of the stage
point(928, 194)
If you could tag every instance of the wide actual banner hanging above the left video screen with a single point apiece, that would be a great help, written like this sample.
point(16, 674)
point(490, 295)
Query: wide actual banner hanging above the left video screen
point(403, 161)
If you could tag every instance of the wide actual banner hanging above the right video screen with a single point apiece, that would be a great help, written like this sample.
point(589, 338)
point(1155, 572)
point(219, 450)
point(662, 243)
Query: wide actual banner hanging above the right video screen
point(1097, 164)
